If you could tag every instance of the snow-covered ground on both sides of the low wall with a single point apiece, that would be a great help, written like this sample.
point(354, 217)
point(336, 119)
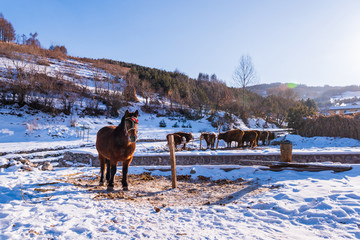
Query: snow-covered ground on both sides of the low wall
point(276, 205)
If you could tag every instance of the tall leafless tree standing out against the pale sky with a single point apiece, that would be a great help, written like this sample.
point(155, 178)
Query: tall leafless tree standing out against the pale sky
point(244, 74)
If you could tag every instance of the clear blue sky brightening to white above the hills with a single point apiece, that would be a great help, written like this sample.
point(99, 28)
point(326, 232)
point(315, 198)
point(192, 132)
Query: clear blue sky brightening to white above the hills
point(312, 42)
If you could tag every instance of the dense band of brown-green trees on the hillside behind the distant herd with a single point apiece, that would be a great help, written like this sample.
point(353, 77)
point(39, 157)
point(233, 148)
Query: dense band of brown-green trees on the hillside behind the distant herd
point(209, 94)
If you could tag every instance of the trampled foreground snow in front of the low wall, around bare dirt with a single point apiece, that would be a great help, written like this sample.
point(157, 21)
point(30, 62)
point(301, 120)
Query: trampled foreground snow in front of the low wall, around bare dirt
point(277, 205)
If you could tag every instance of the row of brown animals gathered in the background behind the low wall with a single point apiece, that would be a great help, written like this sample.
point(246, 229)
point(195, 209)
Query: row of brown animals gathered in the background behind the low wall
point(241, 138)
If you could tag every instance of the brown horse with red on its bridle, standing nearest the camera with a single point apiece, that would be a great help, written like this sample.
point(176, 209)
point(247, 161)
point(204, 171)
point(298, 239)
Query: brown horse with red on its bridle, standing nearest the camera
point(117, 144)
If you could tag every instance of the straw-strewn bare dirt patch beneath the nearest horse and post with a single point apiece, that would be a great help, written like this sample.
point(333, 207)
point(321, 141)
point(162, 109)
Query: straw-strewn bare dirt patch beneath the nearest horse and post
point(146, 189)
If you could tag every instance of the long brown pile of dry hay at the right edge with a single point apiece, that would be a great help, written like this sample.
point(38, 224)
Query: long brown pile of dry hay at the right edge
point(331, 126)
